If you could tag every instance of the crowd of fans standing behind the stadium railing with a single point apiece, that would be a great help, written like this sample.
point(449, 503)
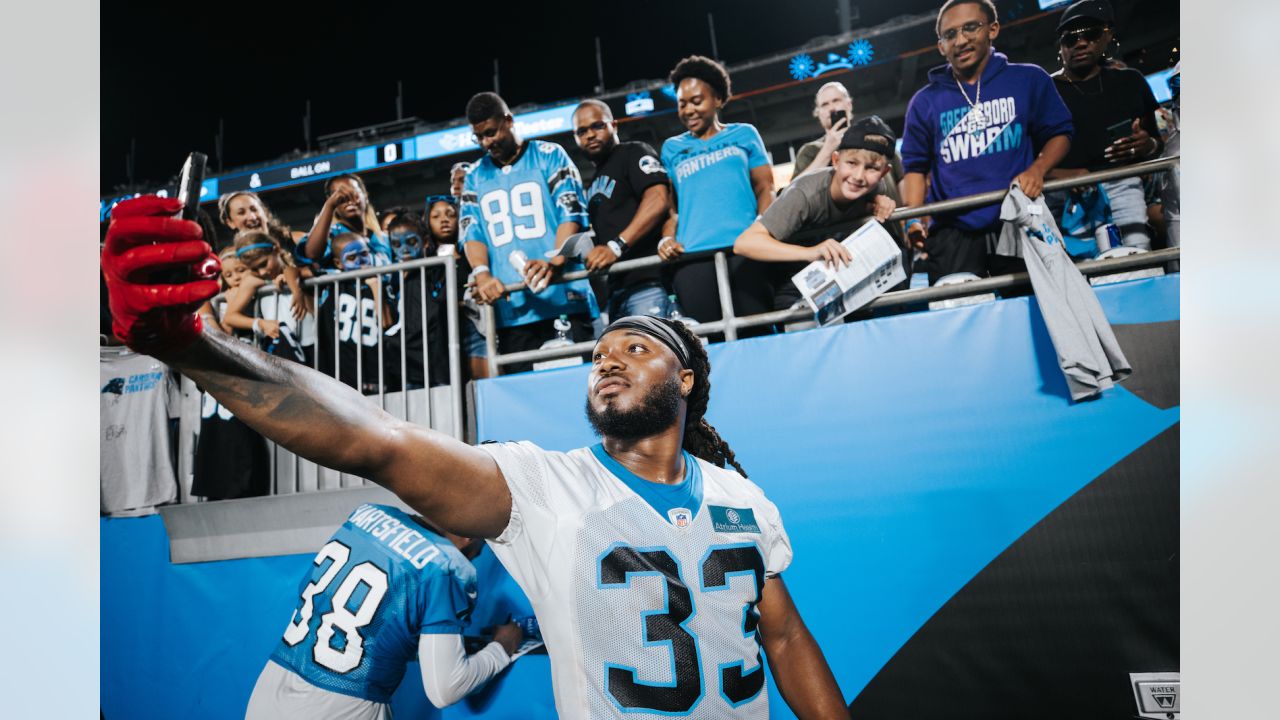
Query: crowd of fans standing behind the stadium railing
point(981, 124)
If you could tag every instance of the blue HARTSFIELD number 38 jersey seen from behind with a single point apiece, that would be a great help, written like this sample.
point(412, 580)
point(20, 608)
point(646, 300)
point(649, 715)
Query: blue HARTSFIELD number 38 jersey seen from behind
point(380, 584)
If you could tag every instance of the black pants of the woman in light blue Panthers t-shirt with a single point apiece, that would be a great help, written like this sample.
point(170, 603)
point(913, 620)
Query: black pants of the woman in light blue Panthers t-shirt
point(752, 285)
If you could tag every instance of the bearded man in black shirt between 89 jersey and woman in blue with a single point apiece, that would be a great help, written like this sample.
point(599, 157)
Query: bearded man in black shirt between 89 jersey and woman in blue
point(628, 202)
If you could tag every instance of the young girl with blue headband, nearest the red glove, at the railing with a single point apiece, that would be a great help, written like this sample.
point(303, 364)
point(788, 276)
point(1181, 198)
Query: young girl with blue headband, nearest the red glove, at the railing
point(282, 332)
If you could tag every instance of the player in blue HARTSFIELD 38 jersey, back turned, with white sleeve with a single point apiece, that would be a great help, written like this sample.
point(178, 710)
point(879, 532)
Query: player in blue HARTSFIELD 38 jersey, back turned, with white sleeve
point(385, 590)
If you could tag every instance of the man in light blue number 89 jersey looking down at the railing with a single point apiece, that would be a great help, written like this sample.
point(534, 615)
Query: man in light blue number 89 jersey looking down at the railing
point(520, 203)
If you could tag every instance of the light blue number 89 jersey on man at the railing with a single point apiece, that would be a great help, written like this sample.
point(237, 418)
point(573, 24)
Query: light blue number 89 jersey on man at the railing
point(519, 207)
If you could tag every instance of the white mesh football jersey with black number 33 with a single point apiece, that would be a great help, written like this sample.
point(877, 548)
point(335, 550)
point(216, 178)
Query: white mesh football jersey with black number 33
point(646, 594)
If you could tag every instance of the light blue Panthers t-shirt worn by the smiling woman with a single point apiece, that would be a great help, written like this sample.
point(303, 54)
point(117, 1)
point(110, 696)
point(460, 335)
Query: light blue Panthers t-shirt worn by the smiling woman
point(714, 185)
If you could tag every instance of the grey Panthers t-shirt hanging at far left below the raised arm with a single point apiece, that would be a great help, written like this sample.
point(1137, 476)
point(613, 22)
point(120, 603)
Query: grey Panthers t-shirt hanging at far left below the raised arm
point(139, 397)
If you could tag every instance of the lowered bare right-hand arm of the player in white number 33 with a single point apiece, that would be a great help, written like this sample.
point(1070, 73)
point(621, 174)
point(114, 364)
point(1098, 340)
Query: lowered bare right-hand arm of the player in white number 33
point(797, 662)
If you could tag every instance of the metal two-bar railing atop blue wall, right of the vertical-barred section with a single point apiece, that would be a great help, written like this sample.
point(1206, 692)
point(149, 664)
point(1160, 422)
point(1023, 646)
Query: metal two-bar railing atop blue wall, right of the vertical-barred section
point(730, 323)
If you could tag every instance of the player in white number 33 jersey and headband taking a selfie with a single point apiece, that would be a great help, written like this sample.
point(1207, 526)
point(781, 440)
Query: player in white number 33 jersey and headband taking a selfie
point(655, 571)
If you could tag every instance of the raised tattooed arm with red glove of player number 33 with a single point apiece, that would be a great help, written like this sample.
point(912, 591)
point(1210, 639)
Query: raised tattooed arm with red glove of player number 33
point(454, 485)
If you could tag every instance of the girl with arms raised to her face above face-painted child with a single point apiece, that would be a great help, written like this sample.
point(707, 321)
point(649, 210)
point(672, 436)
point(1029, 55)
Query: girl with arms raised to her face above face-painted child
point(348, 209)
